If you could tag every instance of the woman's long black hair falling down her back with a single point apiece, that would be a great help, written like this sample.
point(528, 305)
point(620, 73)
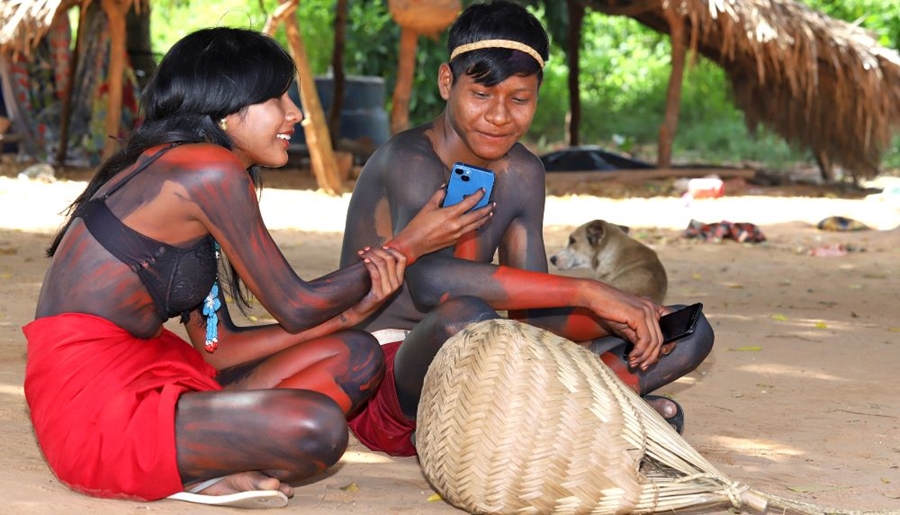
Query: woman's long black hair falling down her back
point(204, 77)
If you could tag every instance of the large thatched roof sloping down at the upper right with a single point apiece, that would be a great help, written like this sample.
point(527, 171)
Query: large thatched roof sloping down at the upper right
point(820, 83)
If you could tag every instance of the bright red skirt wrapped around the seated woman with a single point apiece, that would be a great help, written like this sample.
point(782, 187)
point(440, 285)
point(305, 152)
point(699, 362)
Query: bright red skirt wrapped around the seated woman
point(103, 404)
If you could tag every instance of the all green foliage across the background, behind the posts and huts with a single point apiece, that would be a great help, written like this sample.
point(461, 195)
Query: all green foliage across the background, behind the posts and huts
point(624, 72)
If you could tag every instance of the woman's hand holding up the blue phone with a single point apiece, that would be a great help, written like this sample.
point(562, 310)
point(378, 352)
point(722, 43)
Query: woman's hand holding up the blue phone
point(435, 227)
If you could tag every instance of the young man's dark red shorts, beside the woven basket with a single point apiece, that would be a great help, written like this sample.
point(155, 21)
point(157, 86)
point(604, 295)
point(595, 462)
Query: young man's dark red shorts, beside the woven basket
point(381, 425)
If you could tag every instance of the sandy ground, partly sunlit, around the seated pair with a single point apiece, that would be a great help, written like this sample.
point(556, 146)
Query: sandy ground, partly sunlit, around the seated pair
point(798, 397)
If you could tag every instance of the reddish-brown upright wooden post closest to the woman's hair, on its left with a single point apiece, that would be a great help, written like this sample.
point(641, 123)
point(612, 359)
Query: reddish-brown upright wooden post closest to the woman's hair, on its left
point(115, 11)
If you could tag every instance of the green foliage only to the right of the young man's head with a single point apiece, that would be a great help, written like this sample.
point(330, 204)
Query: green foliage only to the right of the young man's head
point(624, 76)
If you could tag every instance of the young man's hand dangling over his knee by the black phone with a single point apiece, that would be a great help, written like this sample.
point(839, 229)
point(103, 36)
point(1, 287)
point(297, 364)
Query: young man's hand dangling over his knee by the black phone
point(633, 318)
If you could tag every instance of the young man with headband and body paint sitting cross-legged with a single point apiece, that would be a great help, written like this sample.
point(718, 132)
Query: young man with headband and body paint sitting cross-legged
point(497, 52)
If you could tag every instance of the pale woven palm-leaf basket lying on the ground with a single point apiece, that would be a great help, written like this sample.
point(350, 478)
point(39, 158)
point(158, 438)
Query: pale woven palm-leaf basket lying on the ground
point(514, 419)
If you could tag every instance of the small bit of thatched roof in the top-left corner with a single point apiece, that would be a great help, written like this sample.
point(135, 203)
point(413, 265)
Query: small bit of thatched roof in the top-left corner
point(23, 23)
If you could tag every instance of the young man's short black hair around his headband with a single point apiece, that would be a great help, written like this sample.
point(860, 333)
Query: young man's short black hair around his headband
point(499, 19)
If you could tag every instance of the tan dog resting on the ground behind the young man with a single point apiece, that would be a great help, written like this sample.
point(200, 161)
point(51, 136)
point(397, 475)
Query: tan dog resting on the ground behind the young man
point(616, 258)
